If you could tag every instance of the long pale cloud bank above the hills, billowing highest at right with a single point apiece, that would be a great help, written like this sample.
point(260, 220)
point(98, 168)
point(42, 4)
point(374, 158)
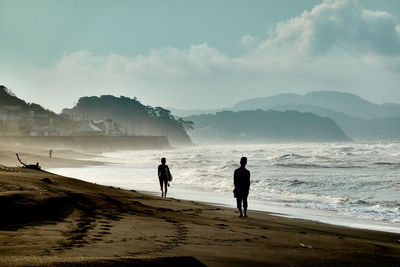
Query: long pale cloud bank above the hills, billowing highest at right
point(335, 46)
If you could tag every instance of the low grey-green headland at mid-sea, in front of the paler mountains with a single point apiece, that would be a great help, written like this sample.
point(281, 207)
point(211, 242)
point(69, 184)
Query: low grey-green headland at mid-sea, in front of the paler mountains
point(259, 125)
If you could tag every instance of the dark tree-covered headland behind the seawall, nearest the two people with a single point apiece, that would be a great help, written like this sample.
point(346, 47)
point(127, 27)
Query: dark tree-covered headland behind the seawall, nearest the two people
point(137, 118)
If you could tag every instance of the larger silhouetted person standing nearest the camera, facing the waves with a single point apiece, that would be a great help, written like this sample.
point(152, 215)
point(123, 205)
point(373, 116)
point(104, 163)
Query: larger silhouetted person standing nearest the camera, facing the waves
point(241, 180)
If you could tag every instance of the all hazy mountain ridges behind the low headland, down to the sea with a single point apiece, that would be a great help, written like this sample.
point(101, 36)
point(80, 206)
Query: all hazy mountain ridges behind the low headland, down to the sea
point(358, 118)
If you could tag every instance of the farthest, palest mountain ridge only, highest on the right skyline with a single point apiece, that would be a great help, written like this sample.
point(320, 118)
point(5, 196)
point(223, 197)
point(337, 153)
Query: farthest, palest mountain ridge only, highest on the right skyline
point(346, 103)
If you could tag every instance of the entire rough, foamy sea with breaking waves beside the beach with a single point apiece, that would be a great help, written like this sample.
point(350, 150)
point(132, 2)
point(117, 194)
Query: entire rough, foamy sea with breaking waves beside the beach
point(344, 180)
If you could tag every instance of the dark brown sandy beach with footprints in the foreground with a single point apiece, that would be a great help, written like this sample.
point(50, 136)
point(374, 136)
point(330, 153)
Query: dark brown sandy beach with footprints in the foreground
point(51, 220)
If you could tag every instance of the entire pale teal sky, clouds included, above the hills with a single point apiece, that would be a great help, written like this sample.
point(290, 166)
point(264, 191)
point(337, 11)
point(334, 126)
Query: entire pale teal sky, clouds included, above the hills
point(198, 54)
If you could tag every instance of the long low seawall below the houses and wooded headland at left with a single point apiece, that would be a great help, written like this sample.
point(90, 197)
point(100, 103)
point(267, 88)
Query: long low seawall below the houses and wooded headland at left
point(92, 143)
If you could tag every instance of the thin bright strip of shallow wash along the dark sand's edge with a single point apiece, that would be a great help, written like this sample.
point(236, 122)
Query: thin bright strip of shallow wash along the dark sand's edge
point(223, 199)
